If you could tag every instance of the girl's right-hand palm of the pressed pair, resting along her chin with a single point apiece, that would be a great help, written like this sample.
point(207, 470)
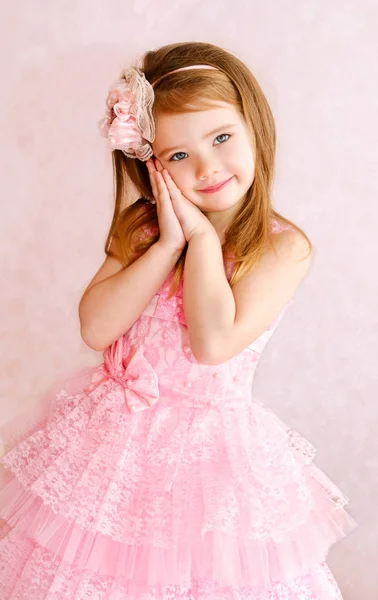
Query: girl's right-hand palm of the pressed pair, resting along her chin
point(192, 220)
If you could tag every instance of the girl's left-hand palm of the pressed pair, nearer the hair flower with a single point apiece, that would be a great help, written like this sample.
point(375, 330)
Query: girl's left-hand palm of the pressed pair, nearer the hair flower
point(171, 233)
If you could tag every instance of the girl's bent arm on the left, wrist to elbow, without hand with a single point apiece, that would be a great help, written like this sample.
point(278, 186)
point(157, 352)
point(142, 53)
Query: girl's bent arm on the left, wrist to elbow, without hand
point(116, 297)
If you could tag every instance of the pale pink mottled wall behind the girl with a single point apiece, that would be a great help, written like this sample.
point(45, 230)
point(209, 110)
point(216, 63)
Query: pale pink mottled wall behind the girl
point(315, 62)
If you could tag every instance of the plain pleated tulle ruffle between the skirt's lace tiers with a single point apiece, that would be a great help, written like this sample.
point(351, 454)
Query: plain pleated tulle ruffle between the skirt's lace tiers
point(218, 556)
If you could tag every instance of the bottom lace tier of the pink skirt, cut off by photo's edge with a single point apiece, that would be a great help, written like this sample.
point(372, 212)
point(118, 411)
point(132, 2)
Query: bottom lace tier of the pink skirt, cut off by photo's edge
point(34, 573)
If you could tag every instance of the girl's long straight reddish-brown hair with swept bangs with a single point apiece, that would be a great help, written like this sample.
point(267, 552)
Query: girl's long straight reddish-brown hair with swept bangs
point(196, 90)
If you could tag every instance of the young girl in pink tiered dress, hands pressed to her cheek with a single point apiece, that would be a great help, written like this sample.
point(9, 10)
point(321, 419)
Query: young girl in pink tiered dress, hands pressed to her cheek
point(157, 475)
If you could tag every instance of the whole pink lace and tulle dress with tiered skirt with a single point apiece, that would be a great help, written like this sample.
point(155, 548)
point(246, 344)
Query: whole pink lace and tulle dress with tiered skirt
point(153, 476)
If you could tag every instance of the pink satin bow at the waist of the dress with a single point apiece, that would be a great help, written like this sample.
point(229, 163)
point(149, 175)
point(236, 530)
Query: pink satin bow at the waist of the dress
point(138, 378)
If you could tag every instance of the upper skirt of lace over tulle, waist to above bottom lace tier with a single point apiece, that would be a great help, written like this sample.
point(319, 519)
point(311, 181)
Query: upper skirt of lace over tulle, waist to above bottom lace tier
point(172, 493)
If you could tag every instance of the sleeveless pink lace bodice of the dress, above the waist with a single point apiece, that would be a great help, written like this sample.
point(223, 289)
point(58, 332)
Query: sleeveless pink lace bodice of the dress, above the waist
point(160, 337)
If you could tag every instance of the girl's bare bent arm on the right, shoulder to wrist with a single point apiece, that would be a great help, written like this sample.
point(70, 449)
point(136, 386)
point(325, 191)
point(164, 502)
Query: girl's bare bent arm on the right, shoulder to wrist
point(223, 321)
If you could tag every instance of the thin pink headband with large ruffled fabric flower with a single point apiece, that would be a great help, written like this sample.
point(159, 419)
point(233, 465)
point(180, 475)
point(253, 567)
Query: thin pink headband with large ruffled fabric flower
point(128, 123)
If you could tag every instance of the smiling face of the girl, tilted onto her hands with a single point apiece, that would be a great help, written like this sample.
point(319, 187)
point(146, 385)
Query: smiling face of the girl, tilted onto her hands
point(203, 149)
